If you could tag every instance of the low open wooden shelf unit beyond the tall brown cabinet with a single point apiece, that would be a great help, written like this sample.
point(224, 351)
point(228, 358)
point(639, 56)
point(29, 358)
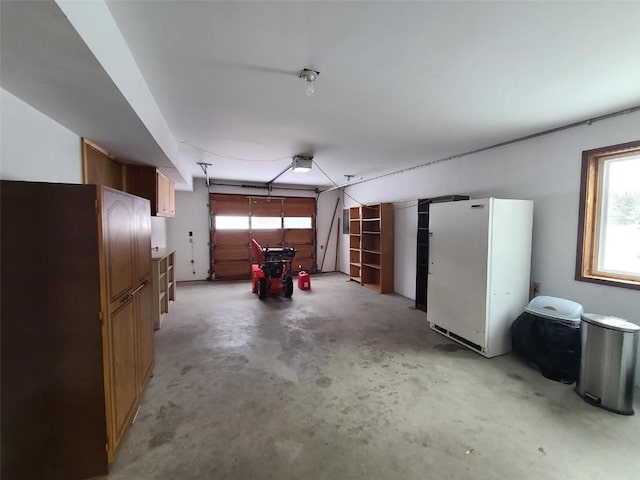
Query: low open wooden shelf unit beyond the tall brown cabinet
point(163, 283)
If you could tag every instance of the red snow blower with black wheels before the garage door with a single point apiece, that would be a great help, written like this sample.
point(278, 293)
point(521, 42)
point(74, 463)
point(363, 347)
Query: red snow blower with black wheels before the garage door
point(272, 273)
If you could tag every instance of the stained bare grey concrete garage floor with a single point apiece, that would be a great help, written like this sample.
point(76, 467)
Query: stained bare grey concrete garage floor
point(342, 383)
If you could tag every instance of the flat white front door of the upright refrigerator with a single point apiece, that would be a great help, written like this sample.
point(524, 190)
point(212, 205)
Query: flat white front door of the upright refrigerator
point(458, 250)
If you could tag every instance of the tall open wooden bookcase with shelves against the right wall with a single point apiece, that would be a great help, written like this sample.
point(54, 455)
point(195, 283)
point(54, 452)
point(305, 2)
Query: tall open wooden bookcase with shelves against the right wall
point(371, 246)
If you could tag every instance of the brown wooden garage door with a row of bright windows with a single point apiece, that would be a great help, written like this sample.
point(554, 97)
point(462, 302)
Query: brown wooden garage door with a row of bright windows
point(272, 221)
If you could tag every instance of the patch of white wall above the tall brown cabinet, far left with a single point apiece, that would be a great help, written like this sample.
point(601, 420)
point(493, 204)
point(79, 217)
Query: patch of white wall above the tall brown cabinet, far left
point(34, 147)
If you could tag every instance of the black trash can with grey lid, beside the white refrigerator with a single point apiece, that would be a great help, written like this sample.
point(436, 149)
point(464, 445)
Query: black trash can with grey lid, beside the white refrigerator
point(547, 336)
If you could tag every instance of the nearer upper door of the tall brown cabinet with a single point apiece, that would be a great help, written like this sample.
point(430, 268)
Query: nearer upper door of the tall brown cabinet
point(118, 240)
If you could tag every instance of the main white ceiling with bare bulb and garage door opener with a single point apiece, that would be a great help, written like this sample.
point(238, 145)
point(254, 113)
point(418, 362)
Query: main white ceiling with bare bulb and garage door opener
point(401, 83)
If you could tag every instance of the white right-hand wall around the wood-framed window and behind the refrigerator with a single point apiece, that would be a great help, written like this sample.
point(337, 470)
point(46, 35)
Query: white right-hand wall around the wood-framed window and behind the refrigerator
point(545, 169)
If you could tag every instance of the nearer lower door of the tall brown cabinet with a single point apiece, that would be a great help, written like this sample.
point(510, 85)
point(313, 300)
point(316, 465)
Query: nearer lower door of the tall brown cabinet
point(124, 383)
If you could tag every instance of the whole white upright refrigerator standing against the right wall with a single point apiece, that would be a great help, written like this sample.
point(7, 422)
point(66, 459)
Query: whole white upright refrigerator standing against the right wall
point(479, 270)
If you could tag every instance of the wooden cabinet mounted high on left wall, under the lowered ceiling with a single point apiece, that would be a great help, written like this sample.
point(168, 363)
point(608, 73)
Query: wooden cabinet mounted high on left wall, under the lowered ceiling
point(152, 184)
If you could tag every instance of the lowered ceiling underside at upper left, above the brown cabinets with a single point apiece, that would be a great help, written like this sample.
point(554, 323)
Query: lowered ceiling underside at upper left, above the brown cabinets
point(45, 63)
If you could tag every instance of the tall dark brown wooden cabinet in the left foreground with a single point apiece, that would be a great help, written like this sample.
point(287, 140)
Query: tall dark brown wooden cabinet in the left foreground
point(76, 325)
